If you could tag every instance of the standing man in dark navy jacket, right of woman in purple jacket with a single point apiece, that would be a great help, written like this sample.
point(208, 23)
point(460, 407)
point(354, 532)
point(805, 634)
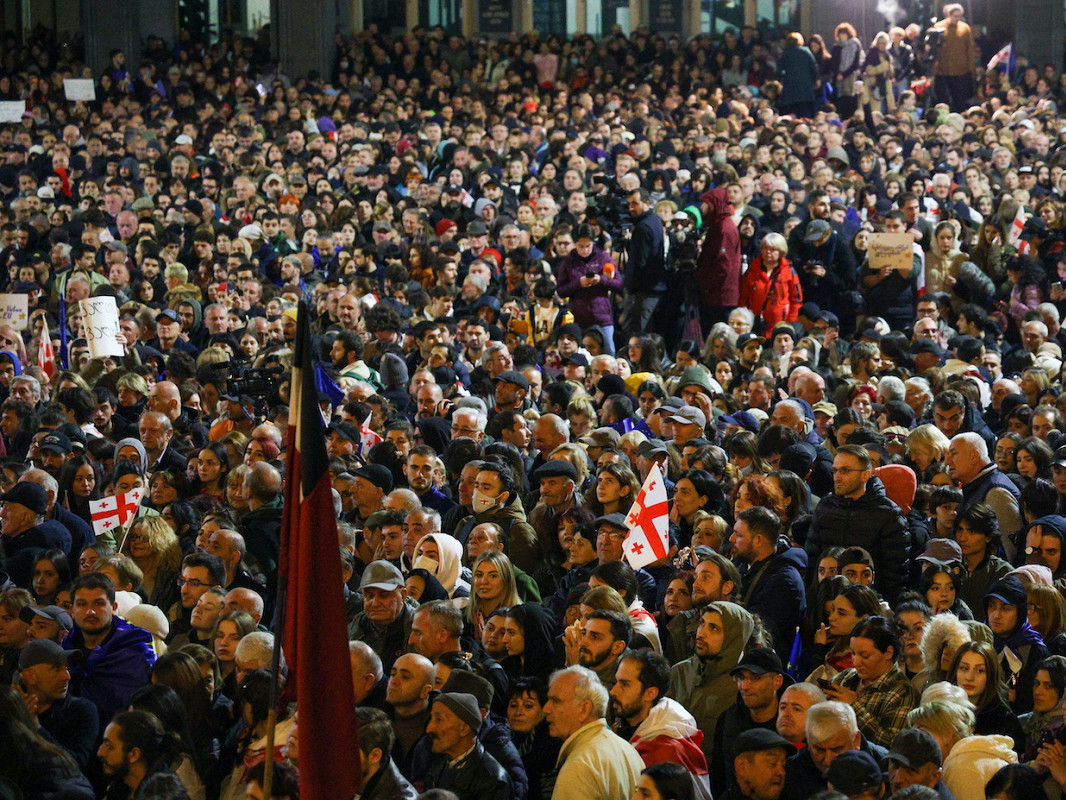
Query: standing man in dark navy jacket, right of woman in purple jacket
point(645, 278)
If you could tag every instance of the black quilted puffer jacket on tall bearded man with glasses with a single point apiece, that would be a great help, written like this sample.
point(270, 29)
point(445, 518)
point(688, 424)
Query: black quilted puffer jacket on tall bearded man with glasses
point(873, 522)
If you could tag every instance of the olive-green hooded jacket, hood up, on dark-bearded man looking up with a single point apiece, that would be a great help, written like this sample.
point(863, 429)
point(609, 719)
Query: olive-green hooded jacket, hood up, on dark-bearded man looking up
point(705, 686)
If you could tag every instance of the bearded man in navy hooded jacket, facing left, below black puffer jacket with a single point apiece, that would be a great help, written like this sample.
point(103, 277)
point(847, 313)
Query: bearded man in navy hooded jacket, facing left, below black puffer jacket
point(773, 575)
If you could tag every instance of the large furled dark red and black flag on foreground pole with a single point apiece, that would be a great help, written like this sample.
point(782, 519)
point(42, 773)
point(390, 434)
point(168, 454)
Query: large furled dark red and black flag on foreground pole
point(310, 578)
